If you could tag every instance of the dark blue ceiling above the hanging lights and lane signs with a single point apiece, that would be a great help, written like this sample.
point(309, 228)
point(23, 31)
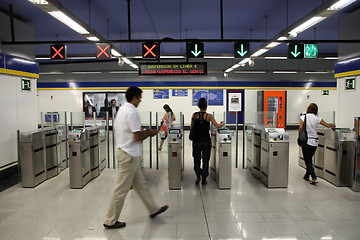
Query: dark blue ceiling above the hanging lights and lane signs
point(179, 19)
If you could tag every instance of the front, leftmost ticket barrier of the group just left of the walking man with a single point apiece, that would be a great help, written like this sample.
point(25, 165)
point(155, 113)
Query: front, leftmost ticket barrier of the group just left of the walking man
point(79, 159)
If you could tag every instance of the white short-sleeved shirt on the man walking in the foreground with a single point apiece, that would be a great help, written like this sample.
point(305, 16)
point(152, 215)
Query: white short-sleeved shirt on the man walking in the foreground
point(127, 122)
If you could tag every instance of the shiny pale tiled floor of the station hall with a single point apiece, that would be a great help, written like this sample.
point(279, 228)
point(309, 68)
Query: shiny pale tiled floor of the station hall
point(52, 211)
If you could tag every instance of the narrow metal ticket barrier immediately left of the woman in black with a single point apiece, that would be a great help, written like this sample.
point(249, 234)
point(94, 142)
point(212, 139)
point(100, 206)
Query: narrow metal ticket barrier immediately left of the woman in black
point(175, 158)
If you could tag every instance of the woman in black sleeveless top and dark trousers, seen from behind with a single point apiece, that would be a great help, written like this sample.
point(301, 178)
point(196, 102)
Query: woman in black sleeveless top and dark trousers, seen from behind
point(201, 140)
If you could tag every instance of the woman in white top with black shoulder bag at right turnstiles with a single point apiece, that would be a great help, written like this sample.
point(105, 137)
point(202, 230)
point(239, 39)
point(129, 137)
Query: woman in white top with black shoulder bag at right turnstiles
point(312, 121)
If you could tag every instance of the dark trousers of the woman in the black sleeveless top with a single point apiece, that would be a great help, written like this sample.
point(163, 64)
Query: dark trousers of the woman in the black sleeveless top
point(201, 150)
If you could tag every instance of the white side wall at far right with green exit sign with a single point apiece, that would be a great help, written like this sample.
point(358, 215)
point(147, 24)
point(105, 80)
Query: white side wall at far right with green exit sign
point(347, 107)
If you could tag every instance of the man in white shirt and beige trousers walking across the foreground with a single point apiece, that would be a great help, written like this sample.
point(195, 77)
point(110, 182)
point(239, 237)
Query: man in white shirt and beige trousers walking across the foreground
point(128, 137)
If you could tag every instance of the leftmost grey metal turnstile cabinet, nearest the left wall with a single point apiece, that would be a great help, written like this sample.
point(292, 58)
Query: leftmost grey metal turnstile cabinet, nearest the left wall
point(32, 158)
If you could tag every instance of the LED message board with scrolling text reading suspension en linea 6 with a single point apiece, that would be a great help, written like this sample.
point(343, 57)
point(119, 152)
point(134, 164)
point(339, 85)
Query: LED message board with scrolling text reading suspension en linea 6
point(173, 68)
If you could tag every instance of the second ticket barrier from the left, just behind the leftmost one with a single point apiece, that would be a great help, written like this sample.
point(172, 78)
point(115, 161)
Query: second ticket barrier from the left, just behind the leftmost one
point(52, 152)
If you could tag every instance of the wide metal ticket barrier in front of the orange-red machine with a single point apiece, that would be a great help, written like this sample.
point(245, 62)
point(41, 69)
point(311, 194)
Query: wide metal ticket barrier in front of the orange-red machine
point(274, 164)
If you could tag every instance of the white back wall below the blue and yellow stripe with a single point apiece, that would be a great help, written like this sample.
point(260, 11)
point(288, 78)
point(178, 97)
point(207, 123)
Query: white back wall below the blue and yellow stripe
point(297, 101)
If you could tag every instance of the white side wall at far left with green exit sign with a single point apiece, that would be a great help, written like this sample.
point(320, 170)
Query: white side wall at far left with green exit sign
point(18, 112)
